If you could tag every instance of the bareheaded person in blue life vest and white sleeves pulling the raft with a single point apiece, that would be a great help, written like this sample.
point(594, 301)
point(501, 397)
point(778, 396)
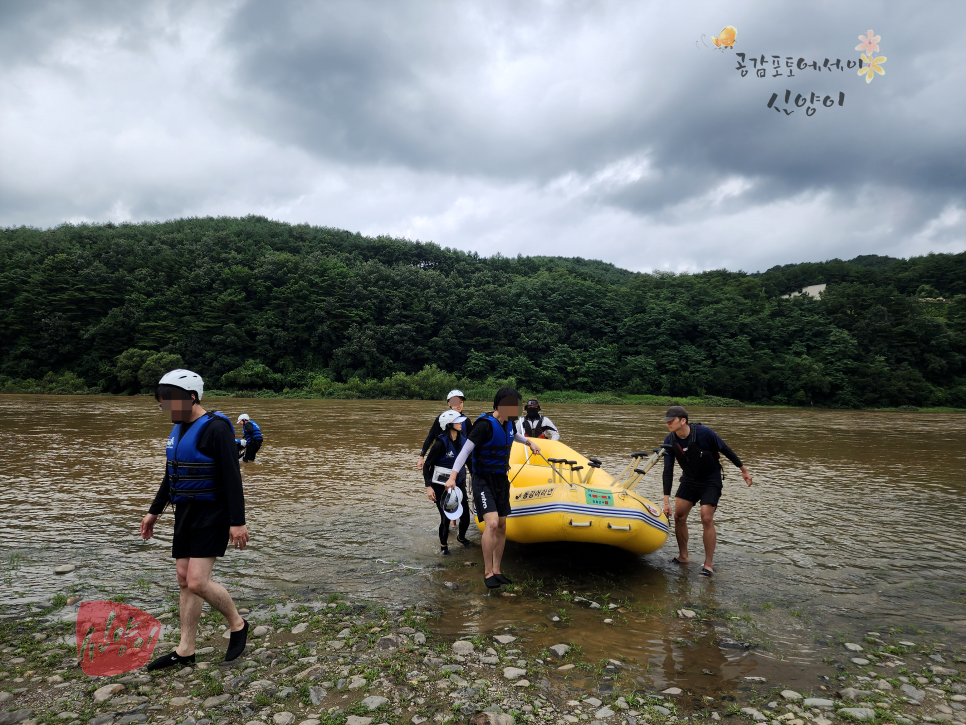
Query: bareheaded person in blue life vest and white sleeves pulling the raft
point(489, 443)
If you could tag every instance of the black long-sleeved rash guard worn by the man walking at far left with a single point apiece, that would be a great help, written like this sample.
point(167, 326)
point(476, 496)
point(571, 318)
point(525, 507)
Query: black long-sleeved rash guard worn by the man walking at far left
point(217, 441)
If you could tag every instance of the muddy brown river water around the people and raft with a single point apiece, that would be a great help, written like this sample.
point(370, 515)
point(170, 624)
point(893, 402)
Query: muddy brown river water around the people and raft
point(855, 524)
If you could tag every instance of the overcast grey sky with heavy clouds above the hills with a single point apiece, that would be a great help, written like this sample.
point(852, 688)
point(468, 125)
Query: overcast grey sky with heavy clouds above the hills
point(594, 129)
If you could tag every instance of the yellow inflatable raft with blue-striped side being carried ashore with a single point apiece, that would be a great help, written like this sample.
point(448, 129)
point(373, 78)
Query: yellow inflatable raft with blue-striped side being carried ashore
point(564, 496)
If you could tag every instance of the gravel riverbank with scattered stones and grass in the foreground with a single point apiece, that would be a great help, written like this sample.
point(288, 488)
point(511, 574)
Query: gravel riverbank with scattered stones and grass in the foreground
point(350, 663)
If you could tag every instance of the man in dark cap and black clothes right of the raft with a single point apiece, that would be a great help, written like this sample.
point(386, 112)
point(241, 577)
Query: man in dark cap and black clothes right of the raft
point(697, 449)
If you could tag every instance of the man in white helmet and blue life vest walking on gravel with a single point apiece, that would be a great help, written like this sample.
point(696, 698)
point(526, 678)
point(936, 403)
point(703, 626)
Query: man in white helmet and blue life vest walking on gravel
point(202, 479)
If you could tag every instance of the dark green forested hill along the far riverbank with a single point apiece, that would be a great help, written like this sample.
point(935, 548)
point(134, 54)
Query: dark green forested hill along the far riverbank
point(259, 305)
